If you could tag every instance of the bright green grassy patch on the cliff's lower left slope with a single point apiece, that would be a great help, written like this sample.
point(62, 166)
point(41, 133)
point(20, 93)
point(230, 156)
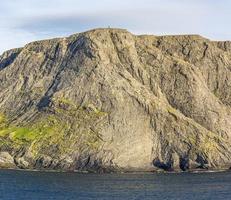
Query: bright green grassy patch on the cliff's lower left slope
point(55, 133)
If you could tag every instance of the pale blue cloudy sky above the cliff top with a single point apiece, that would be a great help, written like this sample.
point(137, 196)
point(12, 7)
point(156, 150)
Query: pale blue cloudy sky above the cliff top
point(23, 21)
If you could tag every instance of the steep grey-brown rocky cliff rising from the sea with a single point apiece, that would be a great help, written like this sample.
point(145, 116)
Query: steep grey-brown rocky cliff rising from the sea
point(108, 100)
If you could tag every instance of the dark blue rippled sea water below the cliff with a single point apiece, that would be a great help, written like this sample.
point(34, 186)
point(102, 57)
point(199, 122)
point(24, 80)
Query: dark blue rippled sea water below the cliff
point(23, 185)
